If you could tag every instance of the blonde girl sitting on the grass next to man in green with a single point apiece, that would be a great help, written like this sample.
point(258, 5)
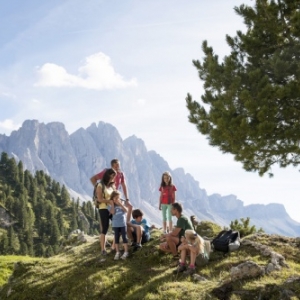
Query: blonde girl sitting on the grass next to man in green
point(192, 244)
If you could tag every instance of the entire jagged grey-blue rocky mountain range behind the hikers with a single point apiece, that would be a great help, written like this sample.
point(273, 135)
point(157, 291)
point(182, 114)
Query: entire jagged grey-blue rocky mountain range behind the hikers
point(73, 159)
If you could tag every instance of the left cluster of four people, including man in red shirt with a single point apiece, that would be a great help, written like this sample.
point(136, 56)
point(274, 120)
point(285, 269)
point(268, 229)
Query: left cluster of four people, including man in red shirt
point(111, 206)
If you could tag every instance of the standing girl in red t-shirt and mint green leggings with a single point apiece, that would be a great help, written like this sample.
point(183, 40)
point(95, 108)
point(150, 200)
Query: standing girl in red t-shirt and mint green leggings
point(167, 197)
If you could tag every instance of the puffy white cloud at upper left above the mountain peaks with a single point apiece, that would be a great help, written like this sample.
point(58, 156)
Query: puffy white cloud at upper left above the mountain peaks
point(97, 73)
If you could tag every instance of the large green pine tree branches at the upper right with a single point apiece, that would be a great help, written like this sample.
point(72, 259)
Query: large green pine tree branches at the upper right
point(251, 103)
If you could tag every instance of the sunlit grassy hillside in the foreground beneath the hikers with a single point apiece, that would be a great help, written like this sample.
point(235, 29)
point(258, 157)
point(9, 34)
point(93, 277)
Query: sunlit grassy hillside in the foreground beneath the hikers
point(79, 272)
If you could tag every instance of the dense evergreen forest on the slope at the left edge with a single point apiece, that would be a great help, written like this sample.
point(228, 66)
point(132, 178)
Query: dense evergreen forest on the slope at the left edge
point(41, 212)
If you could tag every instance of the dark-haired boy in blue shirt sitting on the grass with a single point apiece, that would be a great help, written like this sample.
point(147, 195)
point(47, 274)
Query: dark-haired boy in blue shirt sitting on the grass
point(138, 229)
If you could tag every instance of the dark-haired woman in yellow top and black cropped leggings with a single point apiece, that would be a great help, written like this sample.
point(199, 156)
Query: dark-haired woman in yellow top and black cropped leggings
point(103, 191)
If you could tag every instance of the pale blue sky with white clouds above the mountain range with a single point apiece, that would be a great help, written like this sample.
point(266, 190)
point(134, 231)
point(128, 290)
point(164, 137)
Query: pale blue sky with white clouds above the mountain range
point(128, 63)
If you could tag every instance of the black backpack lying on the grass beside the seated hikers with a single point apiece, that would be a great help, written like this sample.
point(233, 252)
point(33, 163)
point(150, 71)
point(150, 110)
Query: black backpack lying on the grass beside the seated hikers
point(226, 241)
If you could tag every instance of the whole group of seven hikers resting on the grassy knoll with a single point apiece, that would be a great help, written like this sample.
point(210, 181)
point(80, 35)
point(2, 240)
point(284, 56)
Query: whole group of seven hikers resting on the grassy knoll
point(180, 237)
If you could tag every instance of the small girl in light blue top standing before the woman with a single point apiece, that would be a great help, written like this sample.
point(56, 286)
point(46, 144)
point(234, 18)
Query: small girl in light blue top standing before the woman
point(119, 212)
